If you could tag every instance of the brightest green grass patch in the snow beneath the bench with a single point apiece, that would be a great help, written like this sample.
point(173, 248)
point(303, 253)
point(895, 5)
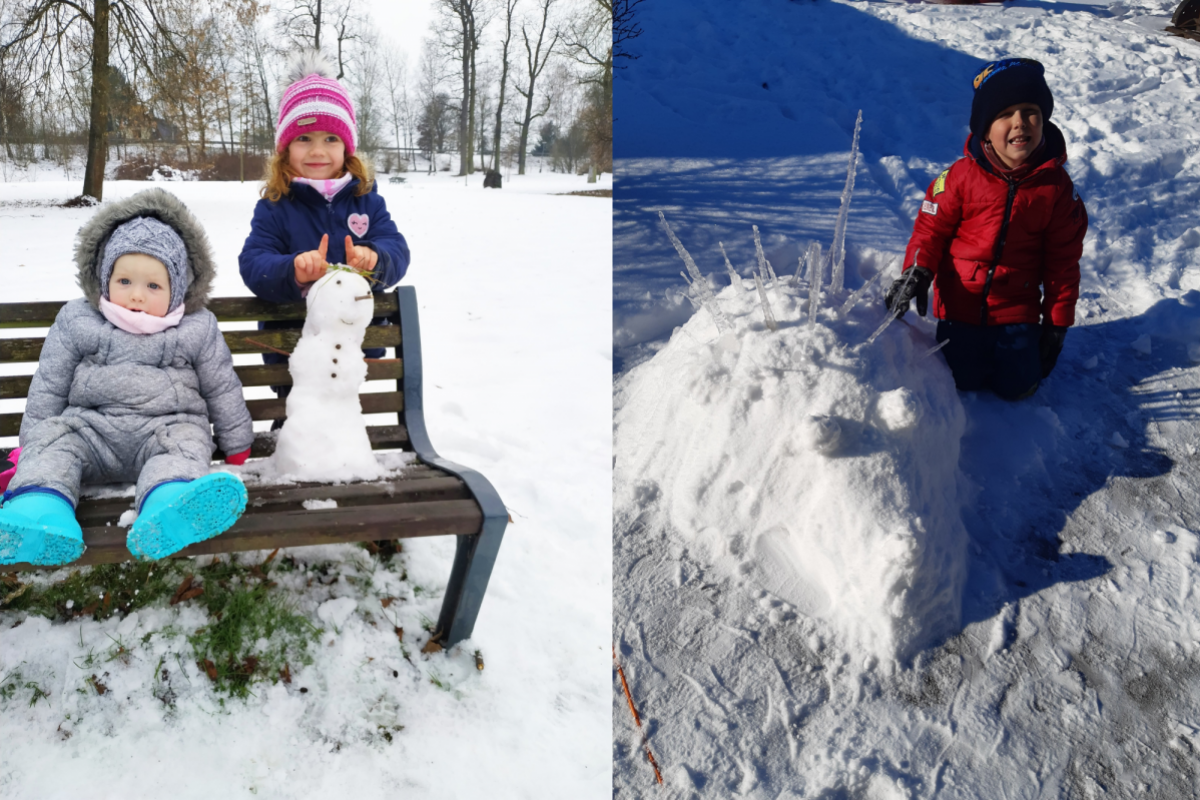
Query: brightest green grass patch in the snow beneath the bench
point(227, 649)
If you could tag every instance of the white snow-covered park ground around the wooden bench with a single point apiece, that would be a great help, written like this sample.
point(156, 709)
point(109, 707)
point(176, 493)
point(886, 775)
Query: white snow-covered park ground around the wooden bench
point(514, 292)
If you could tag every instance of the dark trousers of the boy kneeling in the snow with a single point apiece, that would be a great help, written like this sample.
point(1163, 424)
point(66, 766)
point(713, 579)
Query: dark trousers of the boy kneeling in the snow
point(1003, 358)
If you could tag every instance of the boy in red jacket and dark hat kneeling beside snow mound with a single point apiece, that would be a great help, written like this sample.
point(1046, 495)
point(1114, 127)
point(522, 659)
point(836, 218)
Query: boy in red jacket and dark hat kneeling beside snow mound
point(999, 237)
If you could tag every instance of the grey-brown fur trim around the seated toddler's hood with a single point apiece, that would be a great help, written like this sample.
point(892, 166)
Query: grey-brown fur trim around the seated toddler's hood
point(161, 206)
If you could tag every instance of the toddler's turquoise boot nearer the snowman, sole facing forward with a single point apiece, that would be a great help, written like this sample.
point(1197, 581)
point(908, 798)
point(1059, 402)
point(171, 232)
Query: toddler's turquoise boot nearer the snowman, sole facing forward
point(183, 513)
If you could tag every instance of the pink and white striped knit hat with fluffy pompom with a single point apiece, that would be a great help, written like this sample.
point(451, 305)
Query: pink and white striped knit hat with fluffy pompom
point(315, 101)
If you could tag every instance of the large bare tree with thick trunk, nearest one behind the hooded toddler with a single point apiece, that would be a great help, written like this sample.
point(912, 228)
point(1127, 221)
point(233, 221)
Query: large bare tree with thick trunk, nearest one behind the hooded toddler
point(46, 32)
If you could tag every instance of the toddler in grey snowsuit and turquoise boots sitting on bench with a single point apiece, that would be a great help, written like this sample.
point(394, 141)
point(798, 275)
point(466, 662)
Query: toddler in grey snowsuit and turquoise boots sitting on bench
point(128, 384)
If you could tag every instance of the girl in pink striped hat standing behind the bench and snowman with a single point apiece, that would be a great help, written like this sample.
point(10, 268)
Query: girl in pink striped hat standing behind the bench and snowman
point(320, 204)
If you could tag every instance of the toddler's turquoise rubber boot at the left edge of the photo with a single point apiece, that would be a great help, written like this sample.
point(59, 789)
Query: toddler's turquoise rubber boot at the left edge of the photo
point(40, 528)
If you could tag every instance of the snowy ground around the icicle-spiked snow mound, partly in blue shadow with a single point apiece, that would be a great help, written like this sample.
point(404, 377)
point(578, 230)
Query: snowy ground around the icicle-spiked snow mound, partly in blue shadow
point(1077, 675)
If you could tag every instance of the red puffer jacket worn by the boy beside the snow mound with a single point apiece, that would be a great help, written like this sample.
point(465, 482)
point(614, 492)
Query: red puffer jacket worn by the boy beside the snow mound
point(994, 244)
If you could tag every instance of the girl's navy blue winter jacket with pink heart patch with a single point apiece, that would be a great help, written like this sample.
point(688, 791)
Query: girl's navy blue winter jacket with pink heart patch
point(295, 225)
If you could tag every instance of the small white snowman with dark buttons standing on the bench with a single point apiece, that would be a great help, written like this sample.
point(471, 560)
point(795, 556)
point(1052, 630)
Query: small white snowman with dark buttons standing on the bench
point(326, 437)
